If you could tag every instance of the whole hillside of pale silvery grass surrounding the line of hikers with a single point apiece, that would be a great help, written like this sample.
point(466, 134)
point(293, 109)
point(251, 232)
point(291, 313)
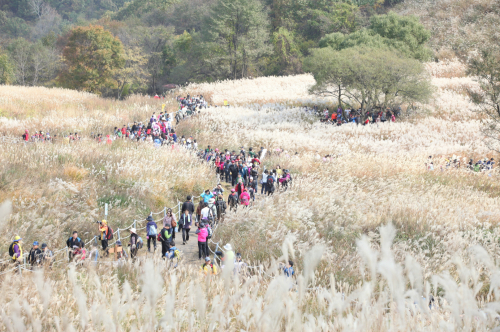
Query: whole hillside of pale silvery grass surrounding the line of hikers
point(374, 233)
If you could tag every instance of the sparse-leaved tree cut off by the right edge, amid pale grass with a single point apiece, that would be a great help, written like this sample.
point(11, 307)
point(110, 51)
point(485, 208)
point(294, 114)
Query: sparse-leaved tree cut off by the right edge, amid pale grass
point(485, 67)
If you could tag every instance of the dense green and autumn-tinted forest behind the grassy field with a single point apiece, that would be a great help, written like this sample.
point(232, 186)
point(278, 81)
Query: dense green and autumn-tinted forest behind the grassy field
point(148, 46)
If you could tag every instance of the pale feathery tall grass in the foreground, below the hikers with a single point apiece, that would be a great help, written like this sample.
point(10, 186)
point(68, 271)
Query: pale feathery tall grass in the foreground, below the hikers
point(146, 296)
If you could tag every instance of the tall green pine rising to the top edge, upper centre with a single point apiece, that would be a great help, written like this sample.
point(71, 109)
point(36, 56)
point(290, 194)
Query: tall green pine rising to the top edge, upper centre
point(237, 30)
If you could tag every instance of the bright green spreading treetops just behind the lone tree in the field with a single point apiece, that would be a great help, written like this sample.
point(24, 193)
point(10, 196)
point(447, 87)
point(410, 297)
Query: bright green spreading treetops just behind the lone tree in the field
point(401, 33)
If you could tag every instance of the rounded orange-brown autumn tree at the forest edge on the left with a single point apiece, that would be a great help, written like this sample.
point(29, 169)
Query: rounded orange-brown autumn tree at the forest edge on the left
point(92, 57)
